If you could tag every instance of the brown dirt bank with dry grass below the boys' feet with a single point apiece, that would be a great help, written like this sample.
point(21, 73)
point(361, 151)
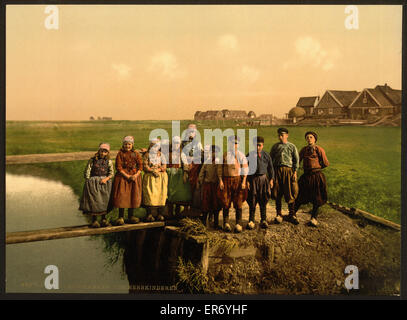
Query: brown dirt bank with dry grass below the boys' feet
point(288, 259)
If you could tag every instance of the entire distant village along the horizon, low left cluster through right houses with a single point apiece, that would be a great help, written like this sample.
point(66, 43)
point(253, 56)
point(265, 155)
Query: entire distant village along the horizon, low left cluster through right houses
point(371, 106)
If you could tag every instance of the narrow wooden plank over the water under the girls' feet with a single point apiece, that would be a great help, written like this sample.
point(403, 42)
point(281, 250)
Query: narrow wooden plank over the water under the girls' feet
point(74, 231)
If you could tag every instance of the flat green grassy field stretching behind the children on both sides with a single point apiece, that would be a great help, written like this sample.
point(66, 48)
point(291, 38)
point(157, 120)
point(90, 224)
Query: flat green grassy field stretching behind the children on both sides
point(364, 172)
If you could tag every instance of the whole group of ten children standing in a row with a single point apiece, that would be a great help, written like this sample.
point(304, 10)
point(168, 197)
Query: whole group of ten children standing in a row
point(190, 175)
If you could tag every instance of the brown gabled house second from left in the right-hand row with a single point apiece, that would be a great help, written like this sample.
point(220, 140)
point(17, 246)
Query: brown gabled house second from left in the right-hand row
point(335, 104)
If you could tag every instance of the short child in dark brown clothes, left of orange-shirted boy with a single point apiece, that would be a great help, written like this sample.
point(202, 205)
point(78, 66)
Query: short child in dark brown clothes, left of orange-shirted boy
point(208, 181)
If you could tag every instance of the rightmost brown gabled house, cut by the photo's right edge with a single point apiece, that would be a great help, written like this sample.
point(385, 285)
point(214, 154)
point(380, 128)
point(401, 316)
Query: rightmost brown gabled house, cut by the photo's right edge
point(377, 102)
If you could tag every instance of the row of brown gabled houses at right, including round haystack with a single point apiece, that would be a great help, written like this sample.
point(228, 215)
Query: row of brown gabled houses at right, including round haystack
point(356, 105)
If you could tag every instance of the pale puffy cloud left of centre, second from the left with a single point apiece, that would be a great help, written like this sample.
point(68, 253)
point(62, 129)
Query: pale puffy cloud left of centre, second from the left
point(166, 64)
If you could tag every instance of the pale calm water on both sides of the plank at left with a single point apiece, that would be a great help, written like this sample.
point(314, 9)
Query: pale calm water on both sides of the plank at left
point(35, 203)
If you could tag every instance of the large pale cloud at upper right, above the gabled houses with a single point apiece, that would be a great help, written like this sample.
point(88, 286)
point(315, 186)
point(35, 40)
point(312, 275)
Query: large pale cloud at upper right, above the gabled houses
point(309, 51)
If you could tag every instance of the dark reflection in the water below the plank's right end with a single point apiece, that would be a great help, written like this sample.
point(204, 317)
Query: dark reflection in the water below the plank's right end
point(152, 261)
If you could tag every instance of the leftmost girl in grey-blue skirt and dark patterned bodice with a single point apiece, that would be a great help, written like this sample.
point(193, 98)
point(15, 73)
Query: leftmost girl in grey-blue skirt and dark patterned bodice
point(98, 186)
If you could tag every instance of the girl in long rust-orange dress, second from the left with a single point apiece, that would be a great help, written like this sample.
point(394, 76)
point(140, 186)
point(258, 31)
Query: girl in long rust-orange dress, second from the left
point(127, 183)
